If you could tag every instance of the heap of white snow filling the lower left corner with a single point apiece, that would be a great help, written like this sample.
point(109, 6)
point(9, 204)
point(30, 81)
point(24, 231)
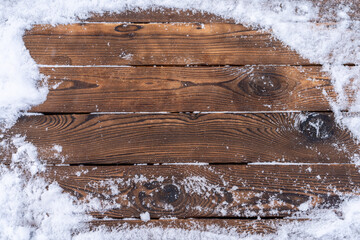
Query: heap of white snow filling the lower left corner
point(31, 207)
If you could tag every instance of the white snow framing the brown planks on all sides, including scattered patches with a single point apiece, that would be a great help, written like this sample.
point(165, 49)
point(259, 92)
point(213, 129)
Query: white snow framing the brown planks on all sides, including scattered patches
point(32, 208)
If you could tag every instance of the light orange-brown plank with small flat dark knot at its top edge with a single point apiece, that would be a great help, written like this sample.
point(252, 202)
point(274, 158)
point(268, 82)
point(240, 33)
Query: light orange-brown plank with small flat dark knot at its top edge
point(156, 44)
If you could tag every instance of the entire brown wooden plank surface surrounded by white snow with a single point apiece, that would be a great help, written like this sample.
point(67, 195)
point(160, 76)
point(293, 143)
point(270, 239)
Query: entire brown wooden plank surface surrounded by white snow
point(200, 103)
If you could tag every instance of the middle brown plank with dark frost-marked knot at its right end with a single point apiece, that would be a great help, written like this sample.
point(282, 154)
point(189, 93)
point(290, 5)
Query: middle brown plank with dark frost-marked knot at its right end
point(212, 138)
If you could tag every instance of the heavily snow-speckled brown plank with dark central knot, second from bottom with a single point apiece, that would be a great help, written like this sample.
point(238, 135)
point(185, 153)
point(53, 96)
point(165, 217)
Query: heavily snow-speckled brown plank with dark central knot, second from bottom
point(208, 191)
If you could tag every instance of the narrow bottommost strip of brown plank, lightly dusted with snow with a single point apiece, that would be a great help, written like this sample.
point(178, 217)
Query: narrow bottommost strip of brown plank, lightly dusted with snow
point(239, 226)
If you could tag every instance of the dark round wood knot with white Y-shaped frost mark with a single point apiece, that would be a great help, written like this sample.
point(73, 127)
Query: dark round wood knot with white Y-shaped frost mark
point(317, 127)
